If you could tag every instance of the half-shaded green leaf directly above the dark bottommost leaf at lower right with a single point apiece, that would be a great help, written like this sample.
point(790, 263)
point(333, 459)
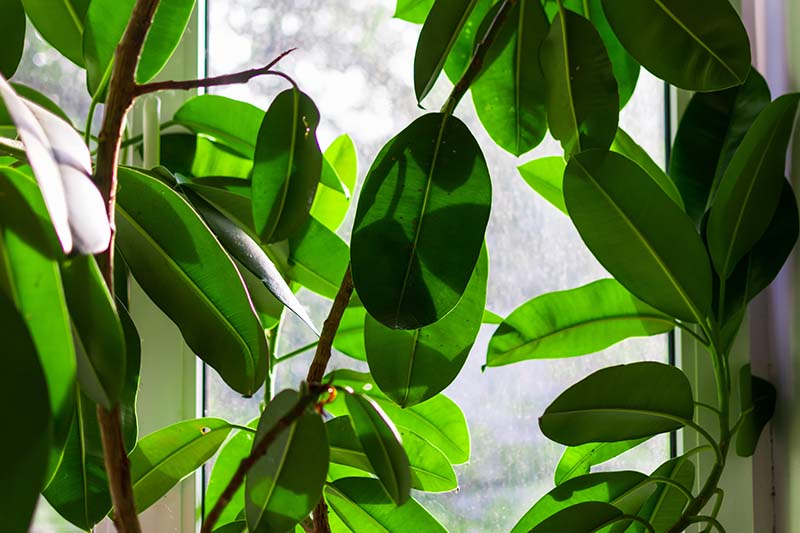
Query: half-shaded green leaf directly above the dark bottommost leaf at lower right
point(608, 487)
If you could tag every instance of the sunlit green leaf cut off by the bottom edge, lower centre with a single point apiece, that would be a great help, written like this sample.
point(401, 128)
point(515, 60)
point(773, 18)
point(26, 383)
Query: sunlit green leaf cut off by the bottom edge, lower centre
point(363, 505)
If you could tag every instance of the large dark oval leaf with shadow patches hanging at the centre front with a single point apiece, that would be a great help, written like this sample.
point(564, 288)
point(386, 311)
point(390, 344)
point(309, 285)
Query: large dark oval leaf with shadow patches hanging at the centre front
point(420, 222)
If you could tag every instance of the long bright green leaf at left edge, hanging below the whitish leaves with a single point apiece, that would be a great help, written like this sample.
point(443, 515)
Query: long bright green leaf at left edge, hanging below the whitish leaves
point(27, 258)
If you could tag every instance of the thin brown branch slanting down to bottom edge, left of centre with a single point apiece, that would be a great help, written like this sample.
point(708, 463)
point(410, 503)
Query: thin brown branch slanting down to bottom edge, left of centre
point(259, 450)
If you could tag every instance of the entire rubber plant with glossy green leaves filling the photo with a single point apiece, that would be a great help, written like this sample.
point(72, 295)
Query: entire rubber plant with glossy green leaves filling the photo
point(243, 211)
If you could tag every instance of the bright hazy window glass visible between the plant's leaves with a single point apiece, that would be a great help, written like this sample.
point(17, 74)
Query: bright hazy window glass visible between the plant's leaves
point(355, 61)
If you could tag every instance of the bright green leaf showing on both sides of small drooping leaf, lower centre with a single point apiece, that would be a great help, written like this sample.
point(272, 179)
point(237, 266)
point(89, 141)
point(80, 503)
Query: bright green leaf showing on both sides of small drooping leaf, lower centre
point(430, 469)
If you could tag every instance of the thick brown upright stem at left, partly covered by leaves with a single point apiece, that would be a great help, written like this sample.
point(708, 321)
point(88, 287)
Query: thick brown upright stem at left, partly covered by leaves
point(119, 99)
